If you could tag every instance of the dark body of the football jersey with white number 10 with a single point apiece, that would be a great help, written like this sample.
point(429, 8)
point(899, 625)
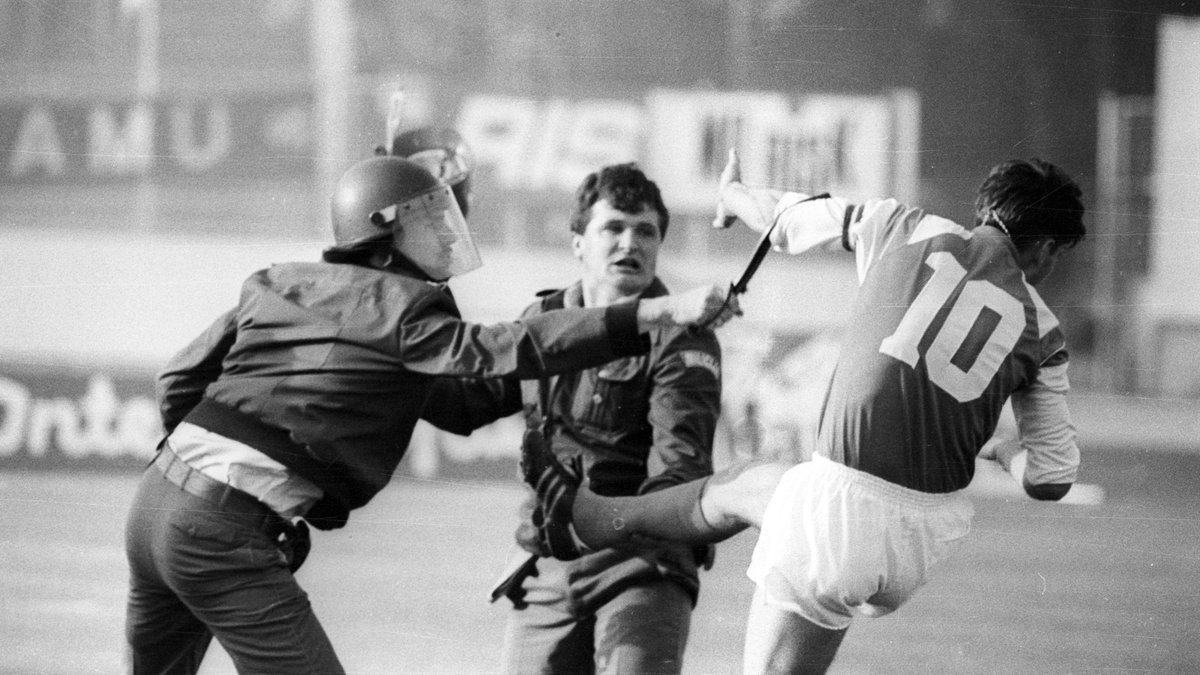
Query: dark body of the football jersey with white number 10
point(944, 330)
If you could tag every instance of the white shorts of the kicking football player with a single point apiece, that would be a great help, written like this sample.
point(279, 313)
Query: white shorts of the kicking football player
point(837, 542)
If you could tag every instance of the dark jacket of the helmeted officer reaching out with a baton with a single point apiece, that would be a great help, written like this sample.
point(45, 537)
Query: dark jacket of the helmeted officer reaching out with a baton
point(327, 368)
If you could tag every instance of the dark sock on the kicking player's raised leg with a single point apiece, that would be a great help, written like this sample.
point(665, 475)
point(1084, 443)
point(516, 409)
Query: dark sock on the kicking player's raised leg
point(671, 515)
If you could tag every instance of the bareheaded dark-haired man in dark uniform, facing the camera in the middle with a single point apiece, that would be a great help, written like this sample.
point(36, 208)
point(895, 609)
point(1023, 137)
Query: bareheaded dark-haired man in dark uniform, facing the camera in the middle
point(633, 426)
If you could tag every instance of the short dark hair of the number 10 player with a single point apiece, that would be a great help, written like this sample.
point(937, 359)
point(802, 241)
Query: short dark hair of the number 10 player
point(1033, 200)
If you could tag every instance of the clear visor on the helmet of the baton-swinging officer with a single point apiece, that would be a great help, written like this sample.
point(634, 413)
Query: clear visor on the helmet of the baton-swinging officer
point(431, 231)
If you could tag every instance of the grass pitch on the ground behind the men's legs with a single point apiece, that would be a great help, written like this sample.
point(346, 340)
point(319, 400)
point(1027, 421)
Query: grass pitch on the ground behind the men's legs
point(1103, 588)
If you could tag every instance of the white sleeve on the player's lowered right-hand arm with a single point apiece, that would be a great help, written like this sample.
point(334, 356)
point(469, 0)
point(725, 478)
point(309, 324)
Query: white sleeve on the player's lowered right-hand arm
point(1046, 431)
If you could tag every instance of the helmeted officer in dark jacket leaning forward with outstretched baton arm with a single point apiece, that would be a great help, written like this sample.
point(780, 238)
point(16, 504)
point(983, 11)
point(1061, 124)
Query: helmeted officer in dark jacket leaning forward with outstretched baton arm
point(302, 402)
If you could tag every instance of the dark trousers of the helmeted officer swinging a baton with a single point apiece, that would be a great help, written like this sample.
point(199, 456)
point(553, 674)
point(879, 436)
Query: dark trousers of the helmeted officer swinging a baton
point(201, 569)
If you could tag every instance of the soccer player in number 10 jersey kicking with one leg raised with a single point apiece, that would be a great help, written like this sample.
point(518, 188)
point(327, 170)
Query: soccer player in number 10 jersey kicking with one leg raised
point(946, 327)
